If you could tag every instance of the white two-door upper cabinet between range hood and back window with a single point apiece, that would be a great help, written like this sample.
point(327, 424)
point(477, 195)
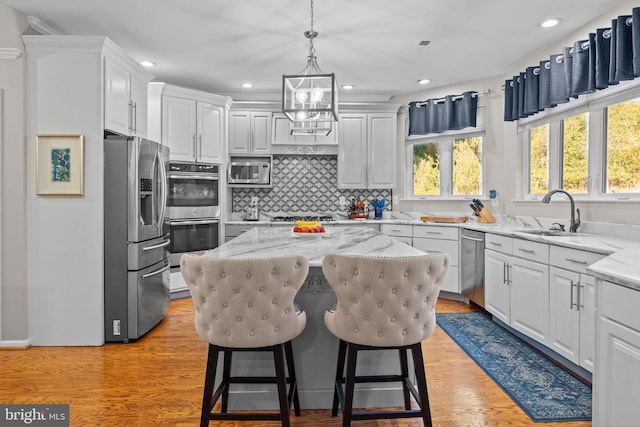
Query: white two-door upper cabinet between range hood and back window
point(367, 150)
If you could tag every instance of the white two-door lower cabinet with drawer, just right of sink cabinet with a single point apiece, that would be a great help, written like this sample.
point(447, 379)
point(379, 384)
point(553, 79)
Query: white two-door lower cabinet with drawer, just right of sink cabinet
point(572, 306)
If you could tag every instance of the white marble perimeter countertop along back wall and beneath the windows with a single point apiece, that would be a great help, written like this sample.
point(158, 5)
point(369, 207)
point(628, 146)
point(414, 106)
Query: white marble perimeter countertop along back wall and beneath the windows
point(619, 241)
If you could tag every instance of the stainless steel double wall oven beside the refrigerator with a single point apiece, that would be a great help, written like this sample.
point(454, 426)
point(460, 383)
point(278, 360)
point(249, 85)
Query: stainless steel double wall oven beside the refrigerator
point(193, 208)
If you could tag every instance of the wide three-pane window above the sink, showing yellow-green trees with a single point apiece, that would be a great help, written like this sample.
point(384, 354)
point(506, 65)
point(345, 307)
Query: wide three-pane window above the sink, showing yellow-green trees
point(591, 151)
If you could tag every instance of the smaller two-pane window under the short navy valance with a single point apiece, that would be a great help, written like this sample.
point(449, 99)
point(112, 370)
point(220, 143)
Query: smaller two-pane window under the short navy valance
point(447, 166)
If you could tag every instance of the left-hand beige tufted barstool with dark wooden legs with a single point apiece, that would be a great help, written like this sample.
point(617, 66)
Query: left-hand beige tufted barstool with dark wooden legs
point(247, 305)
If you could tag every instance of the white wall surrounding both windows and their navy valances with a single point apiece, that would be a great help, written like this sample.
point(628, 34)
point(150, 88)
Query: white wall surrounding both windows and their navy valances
point(503, 150)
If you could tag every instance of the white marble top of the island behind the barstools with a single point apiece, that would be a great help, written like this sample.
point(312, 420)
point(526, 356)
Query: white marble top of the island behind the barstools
point(279, 241)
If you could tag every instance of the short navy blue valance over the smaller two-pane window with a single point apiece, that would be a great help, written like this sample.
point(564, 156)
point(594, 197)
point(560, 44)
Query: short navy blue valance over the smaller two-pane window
point(453, 112)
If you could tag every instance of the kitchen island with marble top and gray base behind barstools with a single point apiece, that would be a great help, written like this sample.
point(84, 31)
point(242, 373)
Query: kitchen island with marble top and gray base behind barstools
point(316, 349)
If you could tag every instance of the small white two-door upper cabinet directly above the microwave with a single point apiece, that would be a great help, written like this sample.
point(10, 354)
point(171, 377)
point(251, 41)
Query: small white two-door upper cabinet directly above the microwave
point(250, 132)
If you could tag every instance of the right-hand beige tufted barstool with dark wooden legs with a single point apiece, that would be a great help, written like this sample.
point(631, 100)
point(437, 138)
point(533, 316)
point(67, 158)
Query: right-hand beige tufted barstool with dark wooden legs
point(383, 303)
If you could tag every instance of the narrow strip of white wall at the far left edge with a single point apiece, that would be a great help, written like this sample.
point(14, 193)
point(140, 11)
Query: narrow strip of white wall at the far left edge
point(13, 225)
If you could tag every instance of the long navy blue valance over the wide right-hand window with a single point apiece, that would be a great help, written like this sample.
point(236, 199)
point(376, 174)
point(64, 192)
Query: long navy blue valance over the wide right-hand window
point(607, 57)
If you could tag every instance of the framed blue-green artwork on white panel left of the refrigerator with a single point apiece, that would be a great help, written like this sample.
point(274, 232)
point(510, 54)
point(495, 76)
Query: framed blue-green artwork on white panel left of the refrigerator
point(60, 165)
